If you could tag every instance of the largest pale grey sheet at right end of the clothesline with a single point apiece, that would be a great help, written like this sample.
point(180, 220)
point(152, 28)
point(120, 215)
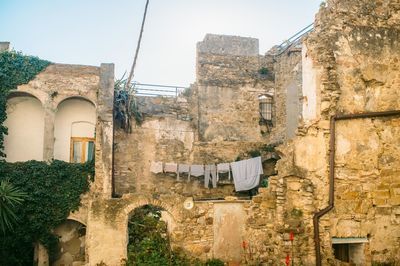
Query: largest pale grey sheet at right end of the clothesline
point(246, 173)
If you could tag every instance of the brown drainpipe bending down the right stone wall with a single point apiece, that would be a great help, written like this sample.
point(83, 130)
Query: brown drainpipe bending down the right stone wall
point(319, 214)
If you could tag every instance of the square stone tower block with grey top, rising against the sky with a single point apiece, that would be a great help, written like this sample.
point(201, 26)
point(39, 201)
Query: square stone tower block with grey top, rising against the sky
point(227, 87)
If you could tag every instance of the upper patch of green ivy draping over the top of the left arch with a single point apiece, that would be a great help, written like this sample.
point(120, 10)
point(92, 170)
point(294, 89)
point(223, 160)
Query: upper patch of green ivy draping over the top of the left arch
point(15, 69)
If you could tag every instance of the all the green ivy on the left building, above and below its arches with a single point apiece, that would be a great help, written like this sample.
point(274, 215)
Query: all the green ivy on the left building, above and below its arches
point(52, 190)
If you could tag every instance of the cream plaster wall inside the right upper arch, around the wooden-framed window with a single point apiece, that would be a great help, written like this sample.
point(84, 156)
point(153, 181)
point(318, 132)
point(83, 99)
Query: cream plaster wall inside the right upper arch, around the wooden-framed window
point(74, 118)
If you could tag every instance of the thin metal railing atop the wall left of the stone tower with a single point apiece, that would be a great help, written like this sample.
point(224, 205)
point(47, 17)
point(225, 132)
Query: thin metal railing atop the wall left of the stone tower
point(156, 90)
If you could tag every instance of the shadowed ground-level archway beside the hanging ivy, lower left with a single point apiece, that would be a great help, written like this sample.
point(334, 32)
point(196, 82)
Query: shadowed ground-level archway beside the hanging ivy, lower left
point(71, 247)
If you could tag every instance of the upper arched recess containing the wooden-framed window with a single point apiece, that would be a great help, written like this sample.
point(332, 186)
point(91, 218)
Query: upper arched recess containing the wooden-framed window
point(74, 130)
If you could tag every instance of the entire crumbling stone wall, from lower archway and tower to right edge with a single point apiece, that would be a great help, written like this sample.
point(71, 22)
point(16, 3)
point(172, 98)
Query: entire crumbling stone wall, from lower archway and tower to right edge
point(348, 64)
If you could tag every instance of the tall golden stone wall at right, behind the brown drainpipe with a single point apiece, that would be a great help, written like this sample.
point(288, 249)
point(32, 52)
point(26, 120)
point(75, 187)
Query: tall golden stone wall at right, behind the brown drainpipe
point(354, 51)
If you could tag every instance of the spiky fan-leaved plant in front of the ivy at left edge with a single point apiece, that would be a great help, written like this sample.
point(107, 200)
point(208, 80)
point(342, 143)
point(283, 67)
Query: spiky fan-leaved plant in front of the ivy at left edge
point(10, 197)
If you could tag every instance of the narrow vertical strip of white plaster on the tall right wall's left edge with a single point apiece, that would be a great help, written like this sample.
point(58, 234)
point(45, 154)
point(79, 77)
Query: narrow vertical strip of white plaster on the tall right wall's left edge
point(309, 87)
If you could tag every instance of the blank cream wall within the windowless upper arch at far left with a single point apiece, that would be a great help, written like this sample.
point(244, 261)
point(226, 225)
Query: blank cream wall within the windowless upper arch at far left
point(25, 123)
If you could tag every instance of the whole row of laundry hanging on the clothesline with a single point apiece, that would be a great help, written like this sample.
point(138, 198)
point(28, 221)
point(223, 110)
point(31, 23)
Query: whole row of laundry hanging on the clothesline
point(246, 173)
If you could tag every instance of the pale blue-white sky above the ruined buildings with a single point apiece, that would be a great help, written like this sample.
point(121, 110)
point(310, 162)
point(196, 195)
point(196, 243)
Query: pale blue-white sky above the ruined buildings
point(90, 32)
